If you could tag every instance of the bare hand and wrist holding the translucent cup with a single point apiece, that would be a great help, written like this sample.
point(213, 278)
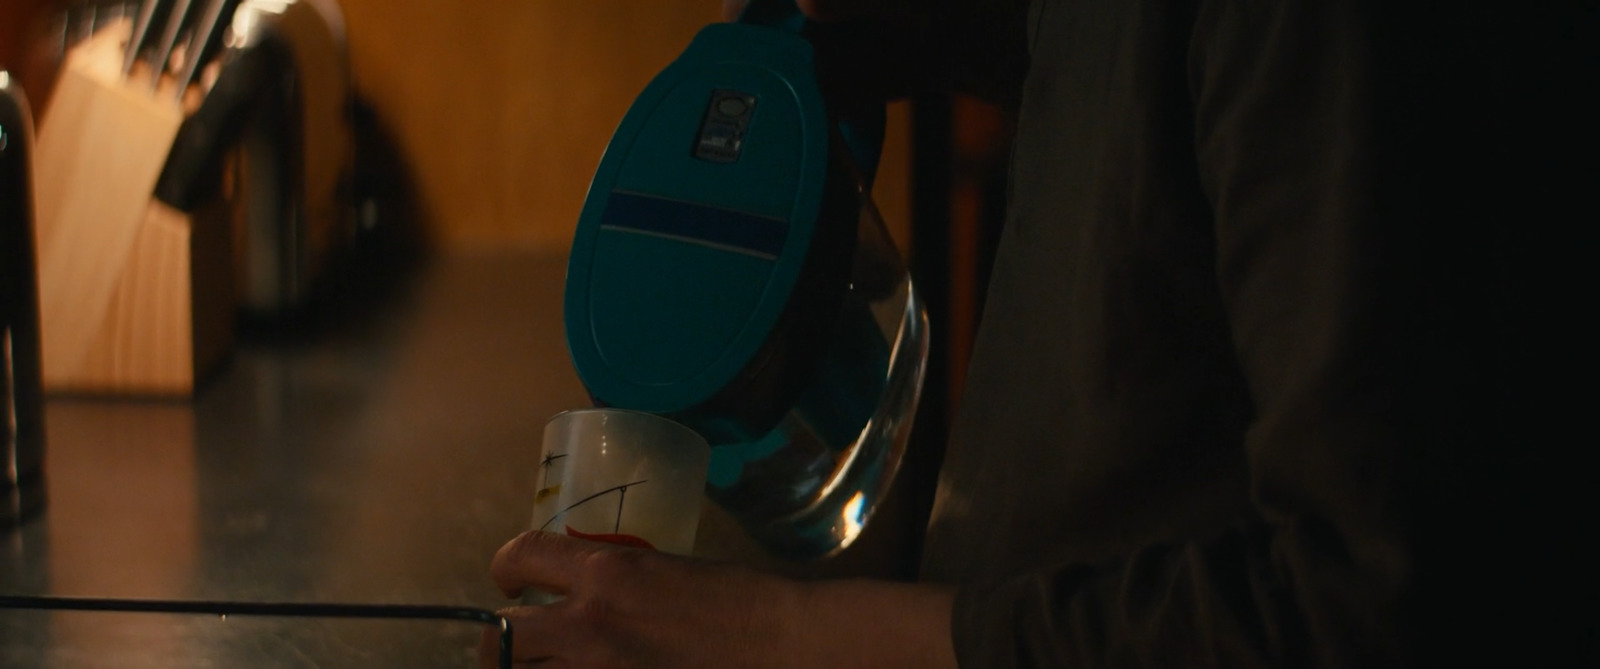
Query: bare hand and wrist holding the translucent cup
point(630, 607)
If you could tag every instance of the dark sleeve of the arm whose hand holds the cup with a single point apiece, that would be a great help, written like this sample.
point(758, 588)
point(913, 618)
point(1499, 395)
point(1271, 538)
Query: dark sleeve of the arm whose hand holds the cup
point(1359, 164)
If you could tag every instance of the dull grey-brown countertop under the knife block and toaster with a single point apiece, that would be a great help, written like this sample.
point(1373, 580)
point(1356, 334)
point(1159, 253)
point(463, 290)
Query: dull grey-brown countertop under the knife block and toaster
point(382, 457)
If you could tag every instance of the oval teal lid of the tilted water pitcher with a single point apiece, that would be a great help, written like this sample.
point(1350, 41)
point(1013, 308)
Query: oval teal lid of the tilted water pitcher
point(698, 222)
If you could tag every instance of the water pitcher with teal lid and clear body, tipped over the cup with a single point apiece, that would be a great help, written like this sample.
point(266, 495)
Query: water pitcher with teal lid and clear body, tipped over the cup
point(732, 273)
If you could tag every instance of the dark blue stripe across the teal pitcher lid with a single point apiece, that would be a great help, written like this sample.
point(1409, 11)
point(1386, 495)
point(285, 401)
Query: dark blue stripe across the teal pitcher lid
point(734, 231)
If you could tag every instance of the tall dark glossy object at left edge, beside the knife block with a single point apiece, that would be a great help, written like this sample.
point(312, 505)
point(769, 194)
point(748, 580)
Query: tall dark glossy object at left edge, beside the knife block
point(22, 382)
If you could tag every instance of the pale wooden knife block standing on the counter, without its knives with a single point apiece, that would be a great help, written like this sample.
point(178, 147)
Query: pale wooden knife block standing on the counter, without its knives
point(135, 297)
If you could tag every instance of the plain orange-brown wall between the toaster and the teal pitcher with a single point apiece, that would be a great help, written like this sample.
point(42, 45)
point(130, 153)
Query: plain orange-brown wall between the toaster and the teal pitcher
point(503, 108)
